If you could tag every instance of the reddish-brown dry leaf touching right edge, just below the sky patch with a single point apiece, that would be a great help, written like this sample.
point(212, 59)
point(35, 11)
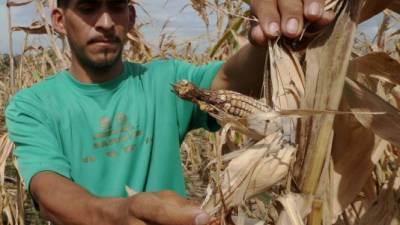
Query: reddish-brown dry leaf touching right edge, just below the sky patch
point(378, 65)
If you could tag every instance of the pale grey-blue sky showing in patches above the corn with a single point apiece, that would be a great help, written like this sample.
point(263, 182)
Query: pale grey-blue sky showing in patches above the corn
point(183, 22)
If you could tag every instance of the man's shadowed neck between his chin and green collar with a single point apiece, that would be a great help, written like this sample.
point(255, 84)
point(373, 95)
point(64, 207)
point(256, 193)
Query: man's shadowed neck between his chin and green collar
point(87, 74)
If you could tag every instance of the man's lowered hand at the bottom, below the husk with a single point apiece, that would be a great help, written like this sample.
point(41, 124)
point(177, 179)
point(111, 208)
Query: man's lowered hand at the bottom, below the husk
point(164, 208)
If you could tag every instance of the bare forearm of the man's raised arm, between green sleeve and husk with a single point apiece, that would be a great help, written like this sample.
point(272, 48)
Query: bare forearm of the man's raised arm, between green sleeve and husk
point(243, 72)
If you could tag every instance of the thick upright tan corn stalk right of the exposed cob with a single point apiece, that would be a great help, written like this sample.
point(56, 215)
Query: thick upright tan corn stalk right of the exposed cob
point(327, 59)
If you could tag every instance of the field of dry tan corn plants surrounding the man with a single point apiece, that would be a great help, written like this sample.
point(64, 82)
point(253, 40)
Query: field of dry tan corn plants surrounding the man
point(322, 149)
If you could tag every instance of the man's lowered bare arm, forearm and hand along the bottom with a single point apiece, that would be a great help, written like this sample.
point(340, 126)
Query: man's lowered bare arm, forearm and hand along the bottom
point(64, 202)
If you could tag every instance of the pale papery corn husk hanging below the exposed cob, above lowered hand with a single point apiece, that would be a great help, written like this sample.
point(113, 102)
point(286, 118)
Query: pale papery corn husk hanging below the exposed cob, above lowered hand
point(252, 172)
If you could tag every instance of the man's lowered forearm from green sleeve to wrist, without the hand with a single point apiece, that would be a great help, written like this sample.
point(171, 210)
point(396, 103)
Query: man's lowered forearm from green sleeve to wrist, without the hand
point(64, 202)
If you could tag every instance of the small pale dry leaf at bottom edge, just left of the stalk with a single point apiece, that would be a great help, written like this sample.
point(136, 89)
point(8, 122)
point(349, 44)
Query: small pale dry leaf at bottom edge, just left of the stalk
point(295, 208)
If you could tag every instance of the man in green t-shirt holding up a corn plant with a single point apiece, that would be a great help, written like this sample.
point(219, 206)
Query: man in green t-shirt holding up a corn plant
point(85, 133)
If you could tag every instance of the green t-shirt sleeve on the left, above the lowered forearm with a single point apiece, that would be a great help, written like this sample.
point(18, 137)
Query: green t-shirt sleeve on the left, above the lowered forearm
point(37, 148)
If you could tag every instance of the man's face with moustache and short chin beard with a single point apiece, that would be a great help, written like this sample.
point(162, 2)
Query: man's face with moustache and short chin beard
point(96, 30)
